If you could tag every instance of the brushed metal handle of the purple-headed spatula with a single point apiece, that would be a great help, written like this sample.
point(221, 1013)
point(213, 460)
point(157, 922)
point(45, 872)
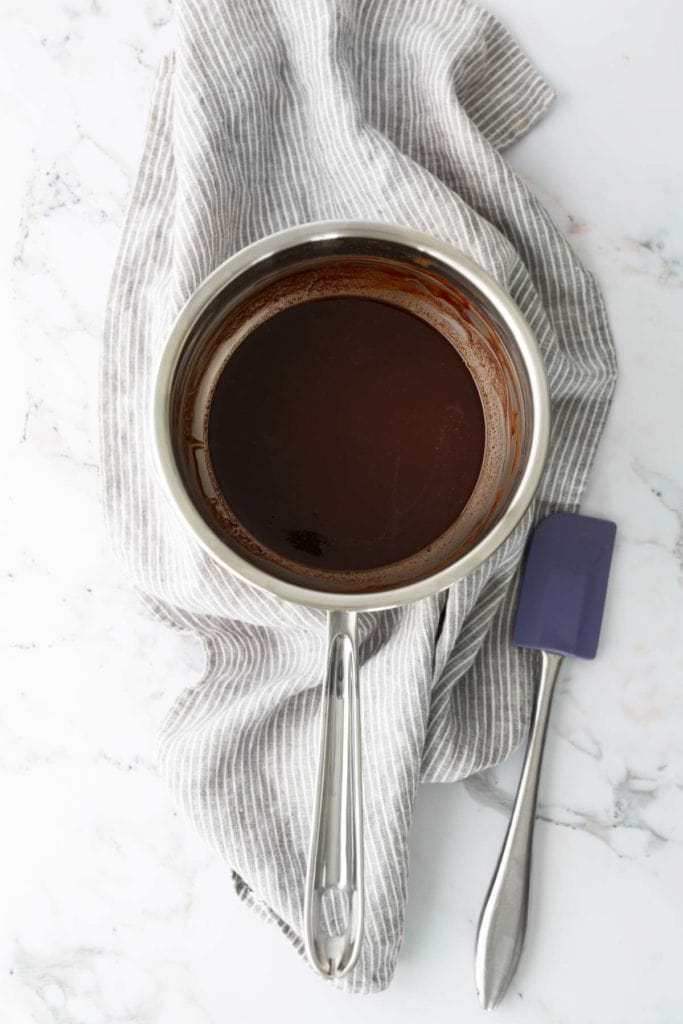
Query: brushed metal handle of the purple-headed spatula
point(503, 922)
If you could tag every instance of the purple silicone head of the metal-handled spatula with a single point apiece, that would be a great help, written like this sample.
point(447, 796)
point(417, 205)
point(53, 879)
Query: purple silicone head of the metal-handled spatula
point(564, 588)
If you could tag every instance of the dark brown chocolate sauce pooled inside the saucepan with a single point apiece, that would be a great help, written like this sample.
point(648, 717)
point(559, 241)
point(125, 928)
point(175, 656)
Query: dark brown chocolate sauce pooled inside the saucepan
point(346, 434)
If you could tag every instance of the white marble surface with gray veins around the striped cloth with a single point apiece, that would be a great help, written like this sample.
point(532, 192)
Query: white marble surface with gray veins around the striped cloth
point(110, 910)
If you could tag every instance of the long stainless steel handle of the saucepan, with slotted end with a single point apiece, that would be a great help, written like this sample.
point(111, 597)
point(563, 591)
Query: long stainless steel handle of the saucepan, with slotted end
point(334, 898)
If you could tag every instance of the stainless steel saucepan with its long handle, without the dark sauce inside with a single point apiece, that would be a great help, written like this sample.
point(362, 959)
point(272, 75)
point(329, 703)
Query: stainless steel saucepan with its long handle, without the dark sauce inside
point(491, 334)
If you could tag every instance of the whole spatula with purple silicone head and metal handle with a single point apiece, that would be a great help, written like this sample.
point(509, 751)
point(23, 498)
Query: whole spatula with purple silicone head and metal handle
point(560, 613)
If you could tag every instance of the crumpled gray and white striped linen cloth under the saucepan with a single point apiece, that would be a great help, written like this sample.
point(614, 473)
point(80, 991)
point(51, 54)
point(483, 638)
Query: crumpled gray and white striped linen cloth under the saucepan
point(270, 115)
